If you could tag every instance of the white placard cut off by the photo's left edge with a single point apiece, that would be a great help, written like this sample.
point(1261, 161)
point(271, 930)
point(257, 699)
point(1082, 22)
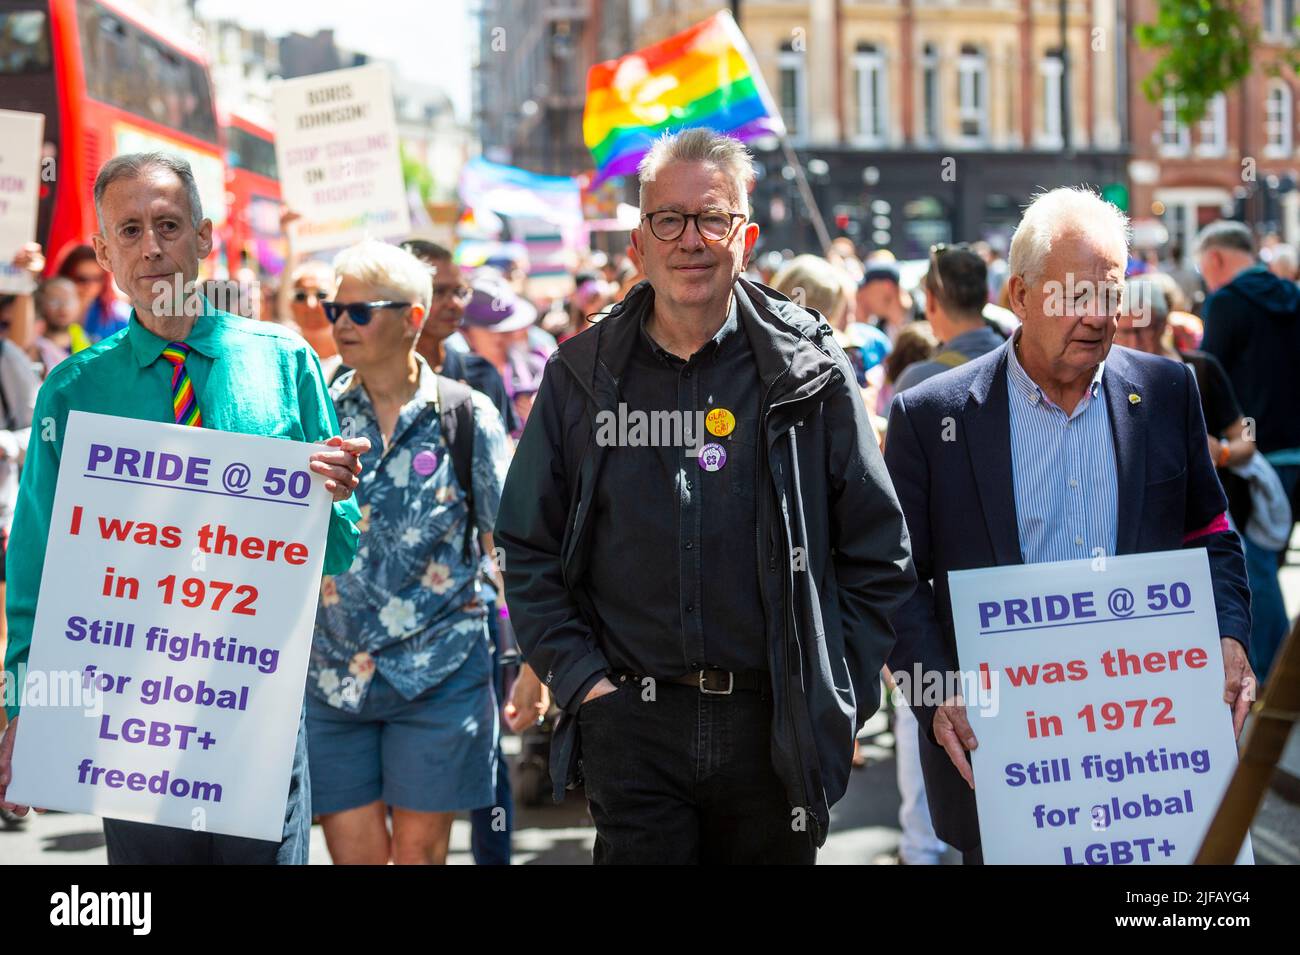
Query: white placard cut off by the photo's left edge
point(20, 193)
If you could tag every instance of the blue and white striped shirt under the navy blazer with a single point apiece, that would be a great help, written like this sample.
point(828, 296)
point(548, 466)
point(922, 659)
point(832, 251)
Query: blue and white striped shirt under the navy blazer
point(1064, 471)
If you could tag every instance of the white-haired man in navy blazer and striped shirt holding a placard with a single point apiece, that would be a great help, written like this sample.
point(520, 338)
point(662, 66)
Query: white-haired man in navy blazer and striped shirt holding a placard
point(1058, 462)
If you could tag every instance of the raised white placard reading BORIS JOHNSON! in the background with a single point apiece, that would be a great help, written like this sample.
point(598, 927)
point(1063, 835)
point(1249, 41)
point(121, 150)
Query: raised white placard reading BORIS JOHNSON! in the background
point(339, 158)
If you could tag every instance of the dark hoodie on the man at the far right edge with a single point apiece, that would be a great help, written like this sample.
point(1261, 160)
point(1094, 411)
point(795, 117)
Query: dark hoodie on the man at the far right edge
point(1253, 327)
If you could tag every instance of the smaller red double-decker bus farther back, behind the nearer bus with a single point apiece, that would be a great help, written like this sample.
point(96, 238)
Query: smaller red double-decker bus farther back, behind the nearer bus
point(254, 235)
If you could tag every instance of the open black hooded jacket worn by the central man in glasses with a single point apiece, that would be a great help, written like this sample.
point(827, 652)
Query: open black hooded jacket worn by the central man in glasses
point(830, 529)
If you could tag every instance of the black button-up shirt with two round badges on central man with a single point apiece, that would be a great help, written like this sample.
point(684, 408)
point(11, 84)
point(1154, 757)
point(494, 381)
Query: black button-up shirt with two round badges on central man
point(687, 535)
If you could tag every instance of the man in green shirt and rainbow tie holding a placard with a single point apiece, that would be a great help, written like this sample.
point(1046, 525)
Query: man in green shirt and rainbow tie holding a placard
point(176, 363)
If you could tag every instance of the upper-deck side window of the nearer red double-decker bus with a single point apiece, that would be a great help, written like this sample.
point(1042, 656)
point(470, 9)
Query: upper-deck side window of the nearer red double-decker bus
point(129, 70)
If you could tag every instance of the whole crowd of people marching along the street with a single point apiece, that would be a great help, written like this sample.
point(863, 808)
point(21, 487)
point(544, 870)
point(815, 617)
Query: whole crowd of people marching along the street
point(612, 567)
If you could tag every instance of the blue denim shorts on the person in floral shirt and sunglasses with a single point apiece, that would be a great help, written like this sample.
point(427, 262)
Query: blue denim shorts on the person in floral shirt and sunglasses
point(434, 754)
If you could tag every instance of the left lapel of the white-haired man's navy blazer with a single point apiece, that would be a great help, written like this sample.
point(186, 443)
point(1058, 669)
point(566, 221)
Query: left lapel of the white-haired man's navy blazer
point(989, 442)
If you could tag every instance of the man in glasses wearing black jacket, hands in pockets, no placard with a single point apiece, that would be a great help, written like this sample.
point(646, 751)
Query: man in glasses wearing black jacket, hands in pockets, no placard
point(701, 545)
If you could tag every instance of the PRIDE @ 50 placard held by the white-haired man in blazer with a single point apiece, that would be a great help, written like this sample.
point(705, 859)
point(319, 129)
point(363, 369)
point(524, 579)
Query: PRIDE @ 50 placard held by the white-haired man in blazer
point(1095, 689)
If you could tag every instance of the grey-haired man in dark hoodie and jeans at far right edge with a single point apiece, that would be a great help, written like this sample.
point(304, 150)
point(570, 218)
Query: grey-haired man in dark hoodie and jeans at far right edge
point(1253, 327)
